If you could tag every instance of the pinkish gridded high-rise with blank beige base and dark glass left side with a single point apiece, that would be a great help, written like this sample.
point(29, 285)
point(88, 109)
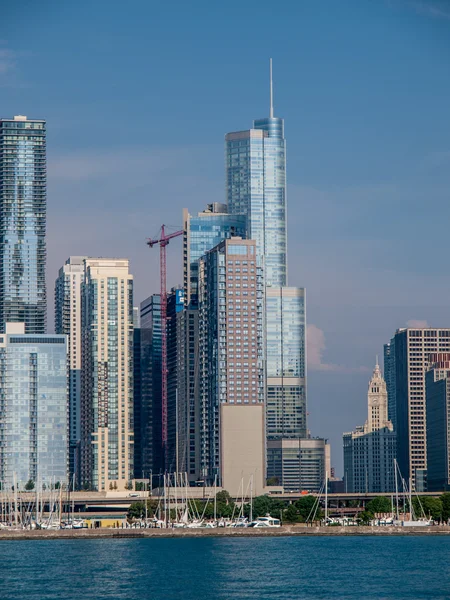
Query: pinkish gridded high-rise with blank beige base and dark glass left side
point(232, 381)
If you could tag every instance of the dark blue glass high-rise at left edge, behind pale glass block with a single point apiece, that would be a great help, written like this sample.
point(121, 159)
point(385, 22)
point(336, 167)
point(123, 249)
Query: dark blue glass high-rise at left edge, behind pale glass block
point(23, 223)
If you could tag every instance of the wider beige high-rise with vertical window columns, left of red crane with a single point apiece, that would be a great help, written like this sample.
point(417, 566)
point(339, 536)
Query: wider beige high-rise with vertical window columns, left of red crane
point(107, 374)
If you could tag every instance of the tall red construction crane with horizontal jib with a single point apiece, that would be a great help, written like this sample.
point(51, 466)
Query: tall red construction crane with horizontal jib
point(163, 241)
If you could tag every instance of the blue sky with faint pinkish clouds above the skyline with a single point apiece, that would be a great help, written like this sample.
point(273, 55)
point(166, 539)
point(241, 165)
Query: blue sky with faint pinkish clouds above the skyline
point(138, 97)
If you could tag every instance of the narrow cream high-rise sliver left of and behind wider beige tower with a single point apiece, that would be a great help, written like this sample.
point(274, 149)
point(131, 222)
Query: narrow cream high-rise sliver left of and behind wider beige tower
point(68, 322)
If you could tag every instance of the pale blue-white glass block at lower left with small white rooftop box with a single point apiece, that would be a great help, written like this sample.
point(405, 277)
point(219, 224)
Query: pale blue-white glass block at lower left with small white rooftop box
point(33, 408)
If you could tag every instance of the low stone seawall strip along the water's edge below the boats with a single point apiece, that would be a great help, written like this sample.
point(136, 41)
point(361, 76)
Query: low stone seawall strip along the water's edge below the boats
point(285, 531)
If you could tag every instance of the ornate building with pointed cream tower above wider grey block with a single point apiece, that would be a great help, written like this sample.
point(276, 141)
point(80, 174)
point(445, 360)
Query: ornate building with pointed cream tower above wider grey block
point(369, 452)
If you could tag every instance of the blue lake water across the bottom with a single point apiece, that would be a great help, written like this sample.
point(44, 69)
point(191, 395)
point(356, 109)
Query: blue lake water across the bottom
point(226, 569)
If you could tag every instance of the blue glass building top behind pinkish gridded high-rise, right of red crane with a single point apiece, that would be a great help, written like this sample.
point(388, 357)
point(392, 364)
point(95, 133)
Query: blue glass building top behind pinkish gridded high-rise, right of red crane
point(202, 233)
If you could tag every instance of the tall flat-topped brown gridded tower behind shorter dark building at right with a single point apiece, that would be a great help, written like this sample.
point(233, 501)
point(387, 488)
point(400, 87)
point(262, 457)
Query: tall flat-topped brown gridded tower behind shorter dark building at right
point(412, 348)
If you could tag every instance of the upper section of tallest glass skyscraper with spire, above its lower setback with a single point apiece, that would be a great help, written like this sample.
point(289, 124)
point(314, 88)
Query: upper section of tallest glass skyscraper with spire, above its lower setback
point(256, 187)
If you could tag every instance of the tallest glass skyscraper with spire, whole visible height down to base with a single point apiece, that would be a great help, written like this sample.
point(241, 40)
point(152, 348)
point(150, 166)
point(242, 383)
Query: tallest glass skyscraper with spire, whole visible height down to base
point(256, 187)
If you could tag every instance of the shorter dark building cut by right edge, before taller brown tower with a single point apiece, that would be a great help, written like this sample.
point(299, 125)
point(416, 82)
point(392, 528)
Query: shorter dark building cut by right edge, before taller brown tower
point(437, 390)
